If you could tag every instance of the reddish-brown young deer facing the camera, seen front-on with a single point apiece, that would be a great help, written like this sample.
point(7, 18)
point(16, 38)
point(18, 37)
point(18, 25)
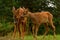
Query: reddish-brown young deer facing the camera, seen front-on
point(19, 19)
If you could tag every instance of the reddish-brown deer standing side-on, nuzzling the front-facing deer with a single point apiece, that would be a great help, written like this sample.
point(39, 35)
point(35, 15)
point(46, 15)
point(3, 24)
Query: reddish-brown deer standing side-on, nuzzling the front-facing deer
point(39, 18)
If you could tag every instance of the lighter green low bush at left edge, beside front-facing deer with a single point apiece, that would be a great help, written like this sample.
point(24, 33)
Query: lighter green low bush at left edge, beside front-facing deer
point(5, 28)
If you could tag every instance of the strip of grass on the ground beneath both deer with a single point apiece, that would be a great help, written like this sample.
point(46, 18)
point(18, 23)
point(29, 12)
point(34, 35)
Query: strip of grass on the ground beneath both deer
point(30, 37)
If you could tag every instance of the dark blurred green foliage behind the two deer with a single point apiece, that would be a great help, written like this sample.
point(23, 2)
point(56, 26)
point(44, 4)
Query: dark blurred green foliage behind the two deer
point(6, 16)
